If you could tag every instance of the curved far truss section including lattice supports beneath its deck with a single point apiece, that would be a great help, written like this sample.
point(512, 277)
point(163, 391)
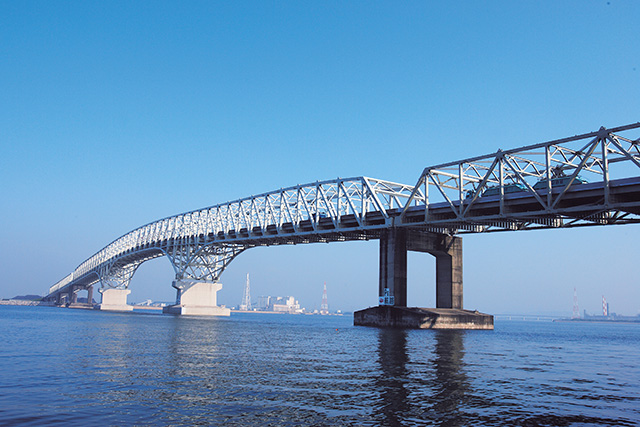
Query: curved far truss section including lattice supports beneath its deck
point(200, 244)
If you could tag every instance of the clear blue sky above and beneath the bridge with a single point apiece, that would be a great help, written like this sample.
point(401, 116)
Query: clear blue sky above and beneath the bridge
point(115, 114)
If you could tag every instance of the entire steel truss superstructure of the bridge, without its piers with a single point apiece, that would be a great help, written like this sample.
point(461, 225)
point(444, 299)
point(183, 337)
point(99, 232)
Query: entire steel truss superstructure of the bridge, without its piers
point(577, 181)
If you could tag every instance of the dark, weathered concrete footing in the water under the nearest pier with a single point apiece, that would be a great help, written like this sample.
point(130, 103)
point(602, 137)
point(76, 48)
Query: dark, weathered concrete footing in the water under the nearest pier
point(422, 318)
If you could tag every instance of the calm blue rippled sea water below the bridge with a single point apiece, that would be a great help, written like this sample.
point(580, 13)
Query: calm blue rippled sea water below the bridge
point(75, 367)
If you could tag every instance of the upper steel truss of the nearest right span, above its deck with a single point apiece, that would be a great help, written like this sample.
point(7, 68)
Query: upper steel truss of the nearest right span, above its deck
point(545, 171)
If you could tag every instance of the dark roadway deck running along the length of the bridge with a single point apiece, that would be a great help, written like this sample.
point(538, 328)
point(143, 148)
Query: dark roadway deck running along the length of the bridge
point(582, 202)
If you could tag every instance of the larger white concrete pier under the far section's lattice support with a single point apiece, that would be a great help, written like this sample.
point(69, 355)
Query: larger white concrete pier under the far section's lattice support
point(196, 298)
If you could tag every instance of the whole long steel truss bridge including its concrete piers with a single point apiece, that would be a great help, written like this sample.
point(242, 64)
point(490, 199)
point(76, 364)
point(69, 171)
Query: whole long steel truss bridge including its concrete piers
point(585, 180)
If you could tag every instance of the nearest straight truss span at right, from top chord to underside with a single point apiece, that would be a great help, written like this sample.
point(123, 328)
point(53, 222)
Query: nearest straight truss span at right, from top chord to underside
point(545, 173)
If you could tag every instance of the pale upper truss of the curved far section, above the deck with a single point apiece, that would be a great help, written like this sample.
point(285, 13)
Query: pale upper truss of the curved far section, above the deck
point(311, 202)
